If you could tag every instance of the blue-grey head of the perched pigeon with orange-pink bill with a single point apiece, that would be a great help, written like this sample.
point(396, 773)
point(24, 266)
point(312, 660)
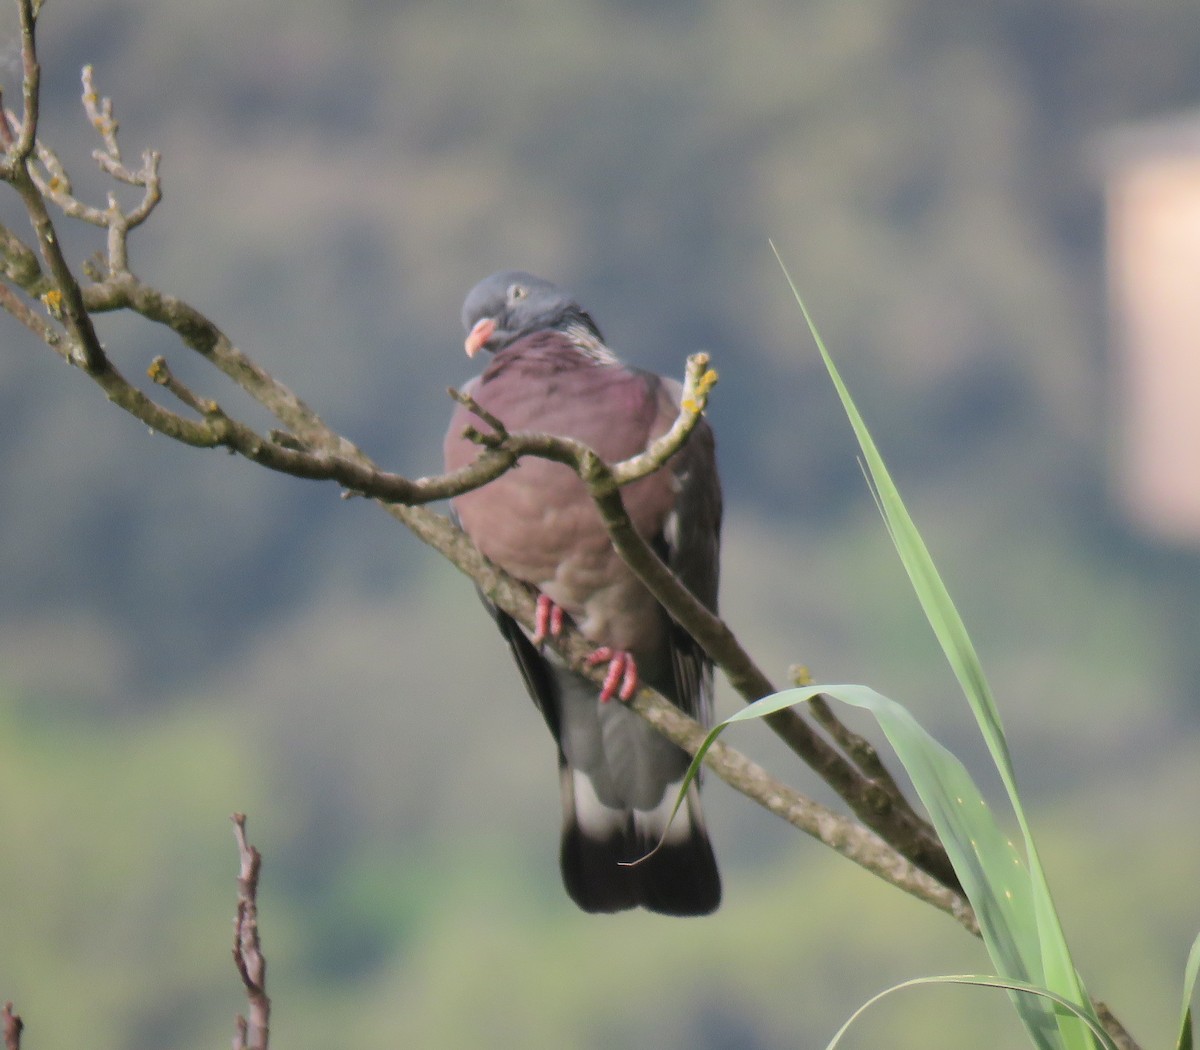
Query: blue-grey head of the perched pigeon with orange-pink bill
point(512, 304)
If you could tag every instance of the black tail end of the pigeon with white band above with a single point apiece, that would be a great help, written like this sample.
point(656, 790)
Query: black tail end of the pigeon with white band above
point(615, 860)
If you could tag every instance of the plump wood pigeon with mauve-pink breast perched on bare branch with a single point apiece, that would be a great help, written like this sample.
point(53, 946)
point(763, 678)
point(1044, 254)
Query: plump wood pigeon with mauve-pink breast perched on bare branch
point(550, 371)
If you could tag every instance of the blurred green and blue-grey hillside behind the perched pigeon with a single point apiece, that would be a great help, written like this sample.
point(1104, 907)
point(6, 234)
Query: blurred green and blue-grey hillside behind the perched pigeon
point(183, 635)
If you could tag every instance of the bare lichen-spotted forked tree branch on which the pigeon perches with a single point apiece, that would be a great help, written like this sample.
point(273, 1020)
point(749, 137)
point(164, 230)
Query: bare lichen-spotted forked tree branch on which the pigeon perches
point(316, 452)
